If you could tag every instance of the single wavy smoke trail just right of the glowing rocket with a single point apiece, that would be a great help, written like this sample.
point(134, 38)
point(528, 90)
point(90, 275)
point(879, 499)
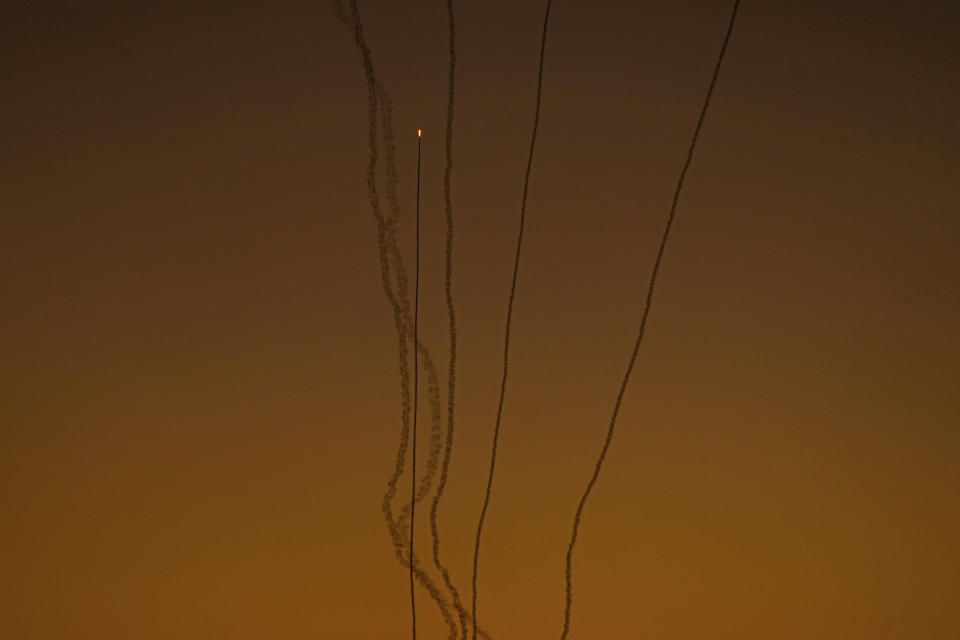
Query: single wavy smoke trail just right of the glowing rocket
point(448, 291)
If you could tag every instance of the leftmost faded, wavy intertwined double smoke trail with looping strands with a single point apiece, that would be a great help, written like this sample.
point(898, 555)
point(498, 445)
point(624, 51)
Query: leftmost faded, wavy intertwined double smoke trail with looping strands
point(390, 254)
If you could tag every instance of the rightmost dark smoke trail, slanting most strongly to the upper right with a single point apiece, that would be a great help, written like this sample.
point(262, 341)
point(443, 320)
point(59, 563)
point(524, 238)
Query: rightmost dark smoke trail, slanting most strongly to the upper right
point(643, 323)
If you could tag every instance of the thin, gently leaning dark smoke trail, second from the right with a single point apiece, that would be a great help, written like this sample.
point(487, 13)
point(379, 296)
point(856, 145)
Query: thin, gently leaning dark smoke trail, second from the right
point(513, 290)
